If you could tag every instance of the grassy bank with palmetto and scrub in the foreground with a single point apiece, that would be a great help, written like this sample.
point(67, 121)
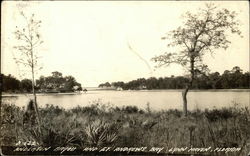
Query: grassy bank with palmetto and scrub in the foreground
point(103, 125)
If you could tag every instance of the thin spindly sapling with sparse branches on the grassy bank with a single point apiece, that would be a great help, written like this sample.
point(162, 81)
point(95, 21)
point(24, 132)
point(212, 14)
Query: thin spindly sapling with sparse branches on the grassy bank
point(29, 39)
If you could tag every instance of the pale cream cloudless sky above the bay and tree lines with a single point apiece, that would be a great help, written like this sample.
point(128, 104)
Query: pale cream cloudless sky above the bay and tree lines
point(90, 39)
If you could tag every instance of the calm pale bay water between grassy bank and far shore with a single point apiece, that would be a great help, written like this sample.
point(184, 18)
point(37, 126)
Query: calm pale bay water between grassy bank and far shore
point(157, 99)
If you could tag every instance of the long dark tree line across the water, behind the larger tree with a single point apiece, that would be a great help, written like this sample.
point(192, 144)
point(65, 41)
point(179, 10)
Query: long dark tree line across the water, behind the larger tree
point(234, 79)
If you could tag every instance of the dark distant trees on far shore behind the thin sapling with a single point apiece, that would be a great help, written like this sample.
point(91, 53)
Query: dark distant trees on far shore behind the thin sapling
point(54, 83)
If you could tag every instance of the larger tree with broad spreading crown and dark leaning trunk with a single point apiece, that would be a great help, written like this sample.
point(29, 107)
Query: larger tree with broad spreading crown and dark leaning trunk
point(201, 33)
